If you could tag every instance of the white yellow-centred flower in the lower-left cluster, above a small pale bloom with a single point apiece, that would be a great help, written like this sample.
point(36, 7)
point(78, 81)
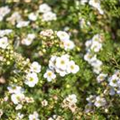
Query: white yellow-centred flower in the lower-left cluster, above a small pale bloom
point(17, 98)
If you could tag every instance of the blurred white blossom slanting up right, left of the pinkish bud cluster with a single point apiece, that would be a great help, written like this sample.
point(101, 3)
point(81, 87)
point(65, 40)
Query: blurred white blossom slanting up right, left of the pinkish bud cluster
point(28, 40)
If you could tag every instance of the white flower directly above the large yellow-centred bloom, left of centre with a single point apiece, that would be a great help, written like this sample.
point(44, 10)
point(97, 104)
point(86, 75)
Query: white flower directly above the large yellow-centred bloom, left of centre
point(35, 67)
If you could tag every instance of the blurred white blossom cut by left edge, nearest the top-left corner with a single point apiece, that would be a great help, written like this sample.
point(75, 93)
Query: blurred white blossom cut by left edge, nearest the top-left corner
point(4, 11)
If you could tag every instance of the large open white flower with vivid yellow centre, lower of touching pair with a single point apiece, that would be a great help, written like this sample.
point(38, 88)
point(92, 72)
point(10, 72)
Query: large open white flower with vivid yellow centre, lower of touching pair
point(31, 79)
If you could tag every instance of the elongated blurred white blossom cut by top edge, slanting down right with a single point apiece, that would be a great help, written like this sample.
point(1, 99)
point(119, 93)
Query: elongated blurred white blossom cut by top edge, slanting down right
point(96, 4)
